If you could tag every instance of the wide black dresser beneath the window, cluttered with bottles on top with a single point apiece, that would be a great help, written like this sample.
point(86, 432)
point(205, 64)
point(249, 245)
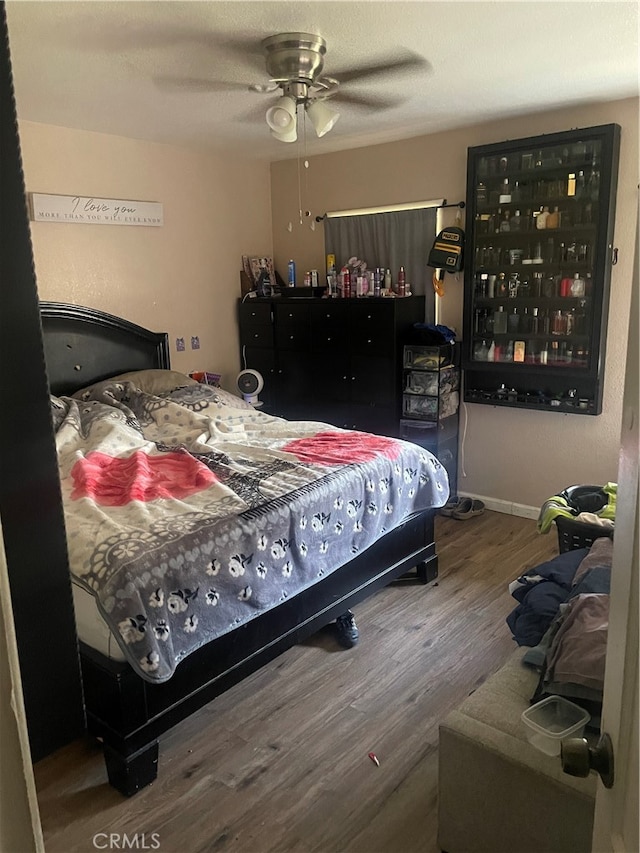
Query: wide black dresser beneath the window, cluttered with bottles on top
point(332, 360)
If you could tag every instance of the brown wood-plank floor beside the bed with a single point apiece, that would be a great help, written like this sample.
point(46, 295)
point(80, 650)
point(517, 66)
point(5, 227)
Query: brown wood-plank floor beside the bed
point(280, 762)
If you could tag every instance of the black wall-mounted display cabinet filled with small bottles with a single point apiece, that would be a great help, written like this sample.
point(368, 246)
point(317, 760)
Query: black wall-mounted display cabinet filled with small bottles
point(540, 214)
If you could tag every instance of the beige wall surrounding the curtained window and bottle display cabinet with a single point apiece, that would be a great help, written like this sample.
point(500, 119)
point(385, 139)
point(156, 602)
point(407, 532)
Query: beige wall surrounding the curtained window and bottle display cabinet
point(516, 456)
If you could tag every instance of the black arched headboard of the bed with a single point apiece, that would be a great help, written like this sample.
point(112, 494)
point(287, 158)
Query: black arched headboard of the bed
point(84, 345)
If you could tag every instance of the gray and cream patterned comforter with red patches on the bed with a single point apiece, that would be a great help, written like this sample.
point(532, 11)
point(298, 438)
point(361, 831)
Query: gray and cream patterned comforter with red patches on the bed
point(190, 513)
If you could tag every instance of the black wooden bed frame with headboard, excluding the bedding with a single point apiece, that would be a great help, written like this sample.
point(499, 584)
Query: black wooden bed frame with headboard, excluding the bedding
point(128, 714)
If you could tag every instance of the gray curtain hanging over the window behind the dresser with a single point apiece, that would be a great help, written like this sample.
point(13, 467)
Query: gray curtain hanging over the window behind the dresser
point(389, 240)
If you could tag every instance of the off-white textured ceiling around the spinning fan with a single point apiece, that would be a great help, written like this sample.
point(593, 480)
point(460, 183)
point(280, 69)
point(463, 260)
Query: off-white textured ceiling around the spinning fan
point(178, 72)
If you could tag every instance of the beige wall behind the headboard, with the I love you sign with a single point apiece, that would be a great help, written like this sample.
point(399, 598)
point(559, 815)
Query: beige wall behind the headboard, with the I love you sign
point(182, 278)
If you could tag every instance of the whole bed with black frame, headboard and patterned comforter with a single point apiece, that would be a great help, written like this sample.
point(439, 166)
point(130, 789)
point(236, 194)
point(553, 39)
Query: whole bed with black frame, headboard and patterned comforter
point(147, 668)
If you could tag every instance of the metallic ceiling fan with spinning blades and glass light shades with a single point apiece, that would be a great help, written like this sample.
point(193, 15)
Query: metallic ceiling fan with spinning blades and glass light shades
point(295, 65)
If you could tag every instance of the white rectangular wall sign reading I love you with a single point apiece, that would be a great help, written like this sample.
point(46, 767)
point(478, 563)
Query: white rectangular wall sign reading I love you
point(88, 210)
